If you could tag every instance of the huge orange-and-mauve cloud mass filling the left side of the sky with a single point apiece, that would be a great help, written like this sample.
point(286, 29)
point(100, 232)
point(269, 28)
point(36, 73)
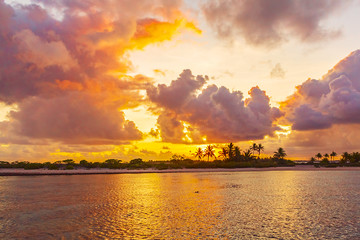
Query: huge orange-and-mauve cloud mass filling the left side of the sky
point(64, 65)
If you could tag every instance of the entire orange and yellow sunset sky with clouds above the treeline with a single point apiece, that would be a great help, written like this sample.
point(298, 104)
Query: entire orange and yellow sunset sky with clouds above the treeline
point(91, 79)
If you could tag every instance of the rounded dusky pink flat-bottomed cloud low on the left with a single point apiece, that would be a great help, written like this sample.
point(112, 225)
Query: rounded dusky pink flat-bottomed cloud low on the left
point(77, 118)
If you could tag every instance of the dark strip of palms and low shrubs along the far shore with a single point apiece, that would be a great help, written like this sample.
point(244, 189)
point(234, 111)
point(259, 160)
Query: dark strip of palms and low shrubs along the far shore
point(229, 156)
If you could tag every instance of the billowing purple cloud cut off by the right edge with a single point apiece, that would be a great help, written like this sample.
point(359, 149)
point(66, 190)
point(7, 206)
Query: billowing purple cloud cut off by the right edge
point(334, 99)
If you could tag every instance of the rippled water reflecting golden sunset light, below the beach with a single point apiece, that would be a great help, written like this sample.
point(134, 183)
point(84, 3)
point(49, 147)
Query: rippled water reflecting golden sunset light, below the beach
point(243, 205)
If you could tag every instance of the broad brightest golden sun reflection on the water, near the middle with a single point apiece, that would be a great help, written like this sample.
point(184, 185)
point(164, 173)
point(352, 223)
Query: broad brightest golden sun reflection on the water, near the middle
point(166, 204)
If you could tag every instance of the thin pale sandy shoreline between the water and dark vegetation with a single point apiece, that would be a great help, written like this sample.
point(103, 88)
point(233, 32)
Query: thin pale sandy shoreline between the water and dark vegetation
point(45, 172)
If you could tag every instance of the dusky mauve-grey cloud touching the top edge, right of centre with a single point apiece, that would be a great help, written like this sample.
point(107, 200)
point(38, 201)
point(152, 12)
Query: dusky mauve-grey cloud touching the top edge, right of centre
point(269, 23)
